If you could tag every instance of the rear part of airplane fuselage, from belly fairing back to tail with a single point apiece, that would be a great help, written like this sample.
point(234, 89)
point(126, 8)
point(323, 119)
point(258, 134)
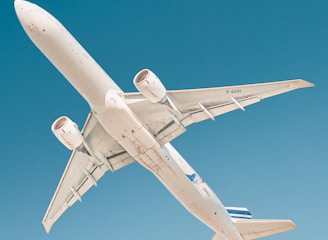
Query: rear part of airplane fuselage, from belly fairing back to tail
point(165, 163)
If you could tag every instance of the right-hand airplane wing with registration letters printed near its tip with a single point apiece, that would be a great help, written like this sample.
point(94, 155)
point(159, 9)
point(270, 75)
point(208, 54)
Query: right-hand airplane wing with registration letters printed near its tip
point(185, 107)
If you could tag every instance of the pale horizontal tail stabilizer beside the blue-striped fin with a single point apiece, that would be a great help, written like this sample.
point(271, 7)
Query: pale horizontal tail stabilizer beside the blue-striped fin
point(253, 229)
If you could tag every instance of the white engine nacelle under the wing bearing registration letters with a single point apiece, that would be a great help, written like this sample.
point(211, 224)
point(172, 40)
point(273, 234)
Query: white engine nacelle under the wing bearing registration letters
point(150, 86)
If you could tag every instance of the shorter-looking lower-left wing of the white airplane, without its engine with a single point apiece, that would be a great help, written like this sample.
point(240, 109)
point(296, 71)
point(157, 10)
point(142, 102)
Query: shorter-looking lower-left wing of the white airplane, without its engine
point(83, 169)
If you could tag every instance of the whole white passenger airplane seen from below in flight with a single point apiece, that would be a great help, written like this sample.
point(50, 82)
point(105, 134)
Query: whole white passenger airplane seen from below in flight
point(126, 127)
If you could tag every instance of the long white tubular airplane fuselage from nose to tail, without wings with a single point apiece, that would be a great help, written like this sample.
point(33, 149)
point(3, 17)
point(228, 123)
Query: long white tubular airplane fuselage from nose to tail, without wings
point(105, 99)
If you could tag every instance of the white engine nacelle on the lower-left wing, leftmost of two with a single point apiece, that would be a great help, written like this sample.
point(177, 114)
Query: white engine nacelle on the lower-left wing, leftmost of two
point(67, 133)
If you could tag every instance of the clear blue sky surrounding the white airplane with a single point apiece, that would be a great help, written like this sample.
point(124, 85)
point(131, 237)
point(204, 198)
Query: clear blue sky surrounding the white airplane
point(272, 158)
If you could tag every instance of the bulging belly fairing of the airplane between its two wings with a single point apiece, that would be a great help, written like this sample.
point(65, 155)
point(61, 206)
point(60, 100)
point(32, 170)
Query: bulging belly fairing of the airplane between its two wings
point(121, 123)
